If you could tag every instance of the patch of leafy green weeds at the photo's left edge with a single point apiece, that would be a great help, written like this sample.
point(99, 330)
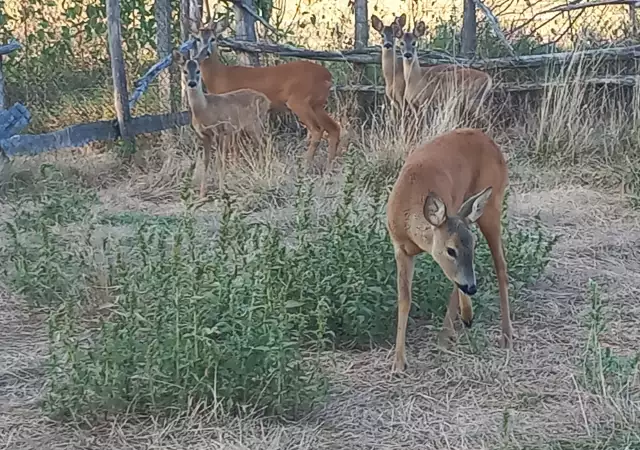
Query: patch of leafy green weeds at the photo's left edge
point(43, 267)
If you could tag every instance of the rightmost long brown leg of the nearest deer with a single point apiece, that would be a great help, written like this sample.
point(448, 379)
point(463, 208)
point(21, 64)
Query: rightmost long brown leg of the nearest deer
point(490, 226)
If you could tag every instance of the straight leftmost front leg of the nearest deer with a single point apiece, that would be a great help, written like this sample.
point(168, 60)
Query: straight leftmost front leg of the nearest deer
point(404, 266)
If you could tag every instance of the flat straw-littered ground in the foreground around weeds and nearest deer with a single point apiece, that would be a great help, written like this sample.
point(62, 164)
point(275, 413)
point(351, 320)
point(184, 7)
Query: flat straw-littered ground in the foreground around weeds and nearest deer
point(468, 398)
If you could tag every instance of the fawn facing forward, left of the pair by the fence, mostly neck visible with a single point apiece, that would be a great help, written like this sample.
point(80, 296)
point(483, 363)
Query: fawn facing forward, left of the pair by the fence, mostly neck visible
point(392, 69)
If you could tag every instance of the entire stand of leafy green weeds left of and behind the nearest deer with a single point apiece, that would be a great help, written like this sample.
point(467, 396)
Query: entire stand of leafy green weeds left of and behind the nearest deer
point(168, 317)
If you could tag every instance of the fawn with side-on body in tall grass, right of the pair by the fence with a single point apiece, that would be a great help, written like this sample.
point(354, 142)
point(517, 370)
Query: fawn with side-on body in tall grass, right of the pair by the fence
point(440, 82)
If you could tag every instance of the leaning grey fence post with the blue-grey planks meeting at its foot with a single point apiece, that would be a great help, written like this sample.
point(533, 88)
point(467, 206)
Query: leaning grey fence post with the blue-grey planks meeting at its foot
point(121, 97)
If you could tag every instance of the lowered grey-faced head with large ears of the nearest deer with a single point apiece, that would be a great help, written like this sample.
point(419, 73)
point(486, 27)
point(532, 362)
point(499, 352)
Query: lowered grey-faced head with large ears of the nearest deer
point(453, 240)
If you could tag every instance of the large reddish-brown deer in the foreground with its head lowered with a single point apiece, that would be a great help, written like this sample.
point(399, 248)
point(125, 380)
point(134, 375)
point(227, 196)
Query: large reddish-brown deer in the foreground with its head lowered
point(445, 186)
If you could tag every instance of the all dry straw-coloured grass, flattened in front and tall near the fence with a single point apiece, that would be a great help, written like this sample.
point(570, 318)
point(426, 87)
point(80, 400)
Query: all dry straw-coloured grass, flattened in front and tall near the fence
point(473, 397)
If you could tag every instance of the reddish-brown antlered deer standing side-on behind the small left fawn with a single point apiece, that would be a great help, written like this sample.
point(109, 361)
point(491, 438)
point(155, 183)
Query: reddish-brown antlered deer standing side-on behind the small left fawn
point(301, 86)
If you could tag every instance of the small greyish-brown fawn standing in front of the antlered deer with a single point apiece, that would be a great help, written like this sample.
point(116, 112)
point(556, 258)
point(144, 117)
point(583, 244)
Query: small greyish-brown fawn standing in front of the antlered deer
point(216, 115)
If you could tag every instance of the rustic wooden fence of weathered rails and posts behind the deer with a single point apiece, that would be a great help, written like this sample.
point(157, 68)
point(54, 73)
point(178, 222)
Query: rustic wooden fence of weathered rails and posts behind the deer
point(125, 127)
